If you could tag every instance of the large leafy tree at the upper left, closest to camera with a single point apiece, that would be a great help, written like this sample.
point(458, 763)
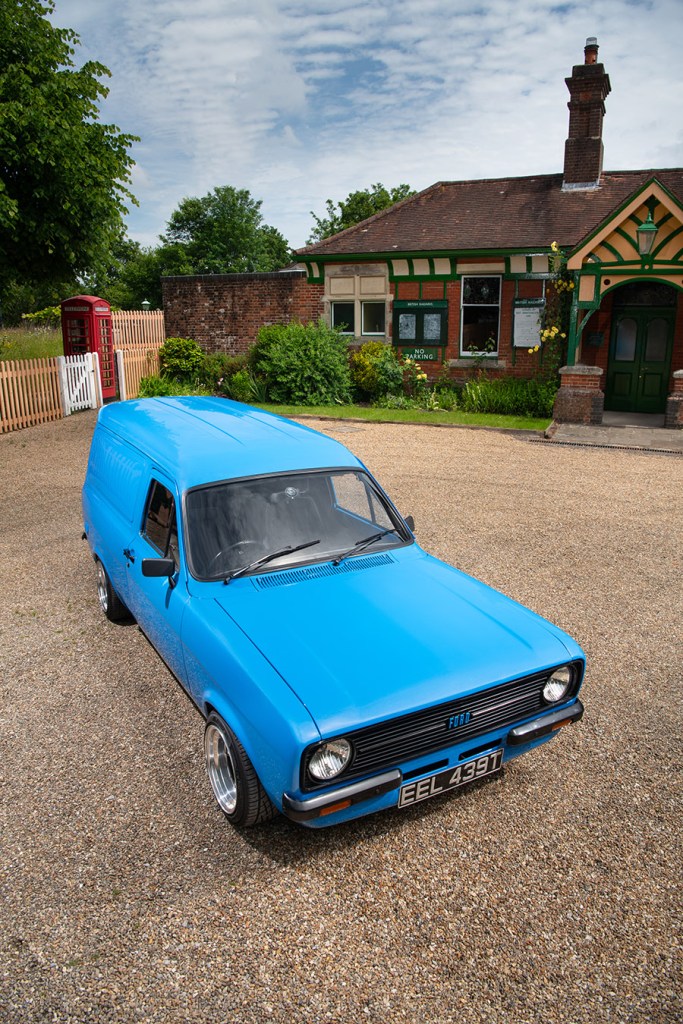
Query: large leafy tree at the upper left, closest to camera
point(64, 176)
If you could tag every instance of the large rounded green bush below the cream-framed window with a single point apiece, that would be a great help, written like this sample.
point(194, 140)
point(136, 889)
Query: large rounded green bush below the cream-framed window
point(306, 364)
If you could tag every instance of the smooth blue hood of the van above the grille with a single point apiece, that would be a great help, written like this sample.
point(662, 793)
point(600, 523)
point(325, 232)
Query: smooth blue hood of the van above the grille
point(390, 634)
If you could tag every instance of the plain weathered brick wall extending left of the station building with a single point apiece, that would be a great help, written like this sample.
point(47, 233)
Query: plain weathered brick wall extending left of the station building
point(224, 313)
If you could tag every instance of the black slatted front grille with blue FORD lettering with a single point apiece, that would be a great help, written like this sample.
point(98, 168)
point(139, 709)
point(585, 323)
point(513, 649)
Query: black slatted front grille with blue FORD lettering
point(389, 744)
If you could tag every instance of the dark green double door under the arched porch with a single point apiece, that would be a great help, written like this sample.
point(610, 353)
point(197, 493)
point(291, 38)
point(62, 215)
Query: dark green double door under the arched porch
point(639, 365)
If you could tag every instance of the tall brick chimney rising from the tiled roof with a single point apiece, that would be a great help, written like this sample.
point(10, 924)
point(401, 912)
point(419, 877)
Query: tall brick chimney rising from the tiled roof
point(583, 151)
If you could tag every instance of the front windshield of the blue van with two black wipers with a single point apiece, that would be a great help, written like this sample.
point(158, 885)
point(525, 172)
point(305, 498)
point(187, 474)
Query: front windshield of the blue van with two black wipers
point(325, 515)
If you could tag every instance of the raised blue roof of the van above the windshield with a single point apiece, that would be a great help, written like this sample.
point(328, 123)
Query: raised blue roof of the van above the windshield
point(198, 441)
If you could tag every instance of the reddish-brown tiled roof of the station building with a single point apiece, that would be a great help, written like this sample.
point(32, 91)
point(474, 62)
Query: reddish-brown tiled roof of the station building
point(493, 215)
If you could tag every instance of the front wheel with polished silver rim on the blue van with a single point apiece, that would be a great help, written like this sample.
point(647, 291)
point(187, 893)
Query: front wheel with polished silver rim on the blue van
point(234, 781)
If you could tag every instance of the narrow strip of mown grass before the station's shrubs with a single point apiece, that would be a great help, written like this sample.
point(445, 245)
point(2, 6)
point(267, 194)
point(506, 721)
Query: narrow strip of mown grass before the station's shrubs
point(374, 415)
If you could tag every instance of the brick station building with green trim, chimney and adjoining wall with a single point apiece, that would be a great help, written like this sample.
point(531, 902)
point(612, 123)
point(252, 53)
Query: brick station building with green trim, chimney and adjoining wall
point(465, 272)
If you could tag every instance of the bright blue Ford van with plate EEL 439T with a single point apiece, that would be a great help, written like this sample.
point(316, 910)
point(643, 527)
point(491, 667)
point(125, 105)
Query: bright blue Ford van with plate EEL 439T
point(340, 669)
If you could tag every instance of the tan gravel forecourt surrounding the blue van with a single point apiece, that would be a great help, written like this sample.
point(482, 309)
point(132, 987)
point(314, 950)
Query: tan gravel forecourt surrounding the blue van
point(551, 893)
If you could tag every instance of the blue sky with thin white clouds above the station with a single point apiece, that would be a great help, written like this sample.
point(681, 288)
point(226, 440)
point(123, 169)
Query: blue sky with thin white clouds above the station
point(301, 101)
